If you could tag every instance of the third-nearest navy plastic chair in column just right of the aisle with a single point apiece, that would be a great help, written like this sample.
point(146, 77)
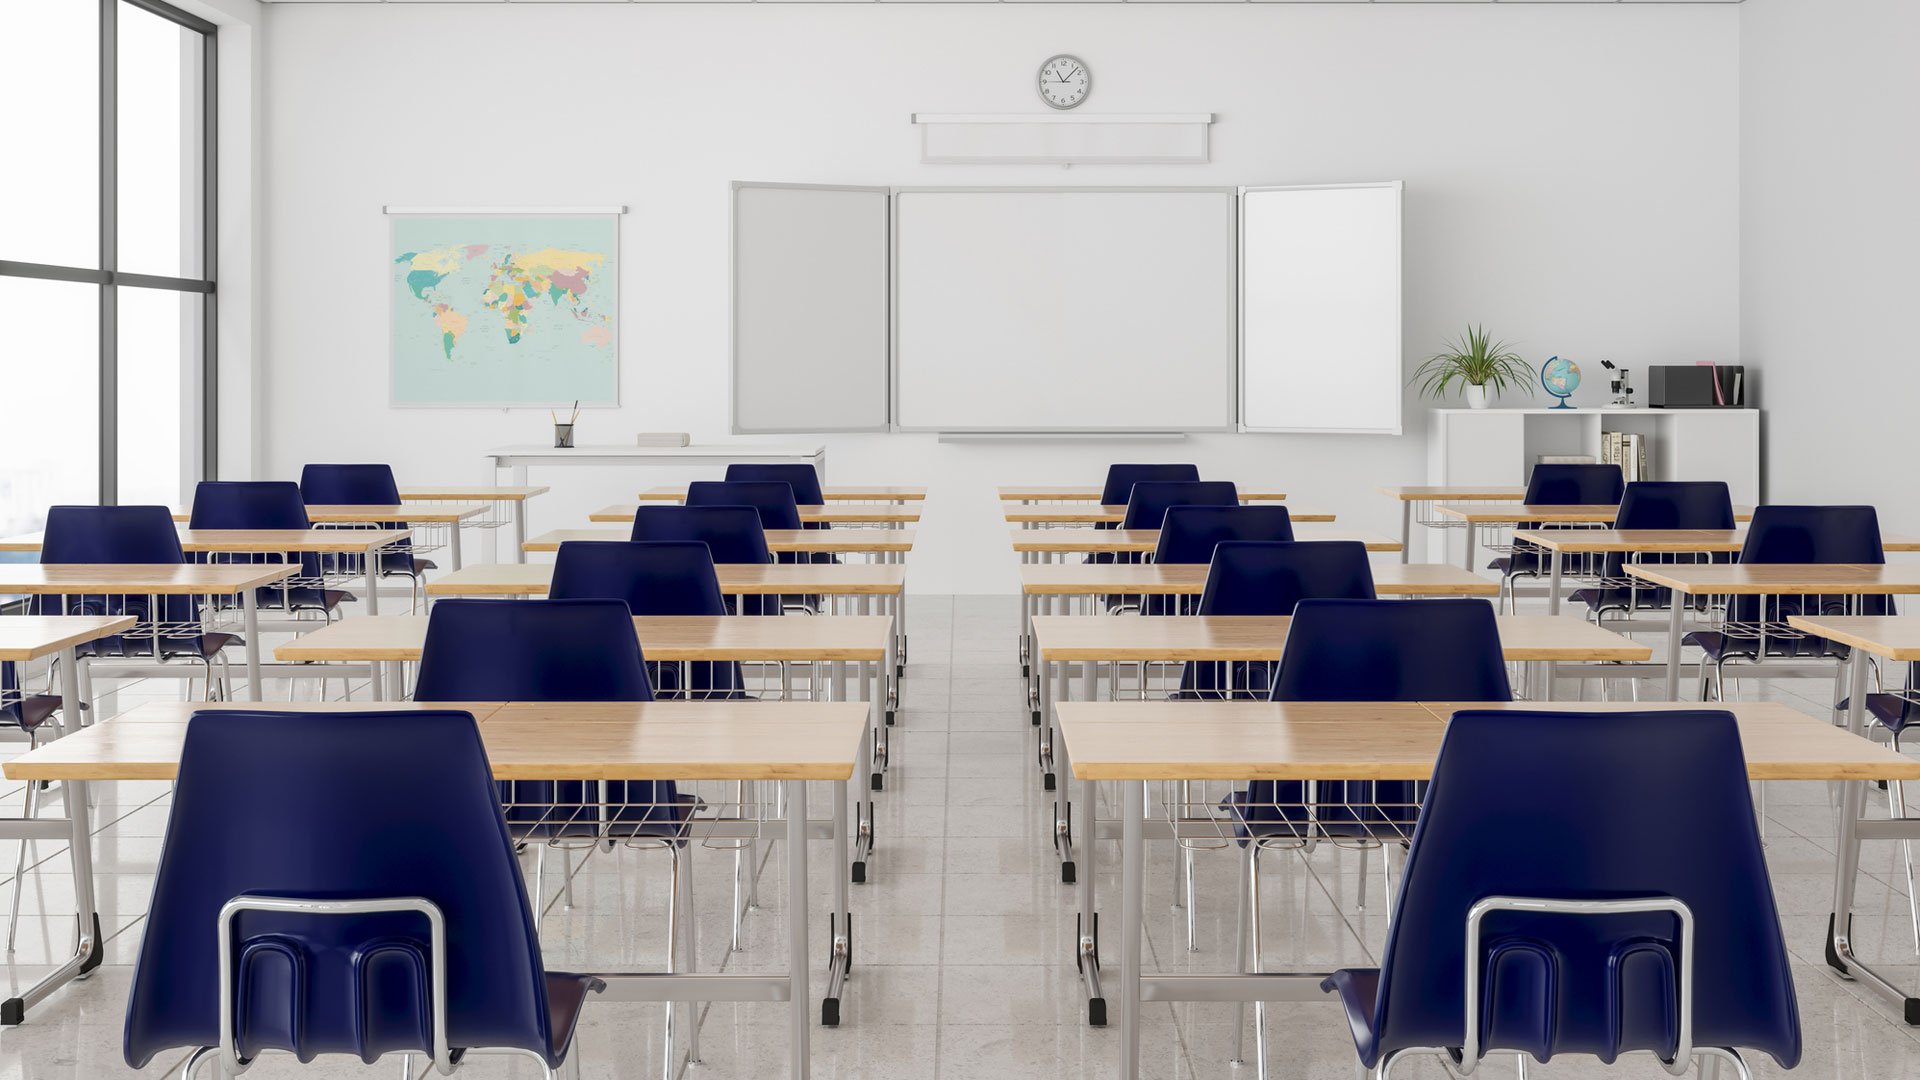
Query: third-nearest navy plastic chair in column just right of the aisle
point(1270, 579)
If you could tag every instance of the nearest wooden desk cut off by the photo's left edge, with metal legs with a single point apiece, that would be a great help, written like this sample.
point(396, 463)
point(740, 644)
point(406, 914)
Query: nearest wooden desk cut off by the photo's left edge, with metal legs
point(28, 639)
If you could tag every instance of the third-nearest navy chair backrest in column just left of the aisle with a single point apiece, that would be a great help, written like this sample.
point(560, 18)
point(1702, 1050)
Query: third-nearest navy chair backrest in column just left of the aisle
point(652, 579)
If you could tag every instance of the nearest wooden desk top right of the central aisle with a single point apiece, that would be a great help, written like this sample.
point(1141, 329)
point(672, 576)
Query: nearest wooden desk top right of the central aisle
point(1399, 741)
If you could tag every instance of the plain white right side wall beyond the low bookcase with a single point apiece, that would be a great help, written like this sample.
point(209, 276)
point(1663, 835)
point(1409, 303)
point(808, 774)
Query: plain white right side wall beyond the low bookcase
point(1831, 101)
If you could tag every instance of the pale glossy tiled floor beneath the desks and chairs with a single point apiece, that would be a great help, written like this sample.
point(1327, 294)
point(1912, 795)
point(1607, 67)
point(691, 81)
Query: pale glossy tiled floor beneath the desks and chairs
point(963, 939)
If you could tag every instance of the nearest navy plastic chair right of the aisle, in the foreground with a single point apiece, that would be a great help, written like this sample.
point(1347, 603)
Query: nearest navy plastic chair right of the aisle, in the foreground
point(1560, 808)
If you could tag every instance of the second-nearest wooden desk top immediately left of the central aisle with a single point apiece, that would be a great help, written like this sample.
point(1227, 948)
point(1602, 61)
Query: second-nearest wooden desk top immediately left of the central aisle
point(661, 639)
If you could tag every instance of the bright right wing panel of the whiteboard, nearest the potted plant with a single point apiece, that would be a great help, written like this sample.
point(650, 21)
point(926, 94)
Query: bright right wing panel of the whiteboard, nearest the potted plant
point(1320, 308)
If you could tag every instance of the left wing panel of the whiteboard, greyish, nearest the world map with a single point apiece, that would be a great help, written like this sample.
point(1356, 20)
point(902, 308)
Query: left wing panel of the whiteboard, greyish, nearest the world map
point(809, 308)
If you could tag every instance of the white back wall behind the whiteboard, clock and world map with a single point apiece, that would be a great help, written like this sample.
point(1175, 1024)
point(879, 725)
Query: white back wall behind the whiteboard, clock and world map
point(1572, 182)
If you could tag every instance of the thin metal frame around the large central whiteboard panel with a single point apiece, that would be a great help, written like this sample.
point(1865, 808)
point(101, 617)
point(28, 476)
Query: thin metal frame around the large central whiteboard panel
point(894, 303)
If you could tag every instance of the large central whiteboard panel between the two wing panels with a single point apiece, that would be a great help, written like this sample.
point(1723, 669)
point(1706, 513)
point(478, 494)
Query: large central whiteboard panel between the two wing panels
point(1065, 310)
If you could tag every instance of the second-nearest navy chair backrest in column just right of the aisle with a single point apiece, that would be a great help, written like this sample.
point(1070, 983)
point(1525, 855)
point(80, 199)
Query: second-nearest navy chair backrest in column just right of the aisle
point(1393, 650)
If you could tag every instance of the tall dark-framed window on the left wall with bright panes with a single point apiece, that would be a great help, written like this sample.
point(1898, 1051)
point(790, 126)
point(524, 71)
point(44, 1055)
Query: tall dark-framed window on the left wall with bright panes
point(107, 257)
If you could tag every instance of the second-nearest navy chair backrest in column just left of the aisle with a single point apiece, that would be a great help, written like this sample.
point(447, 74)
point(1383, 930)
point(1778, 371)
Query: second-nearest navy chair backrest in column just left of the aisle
point(531, 650)
